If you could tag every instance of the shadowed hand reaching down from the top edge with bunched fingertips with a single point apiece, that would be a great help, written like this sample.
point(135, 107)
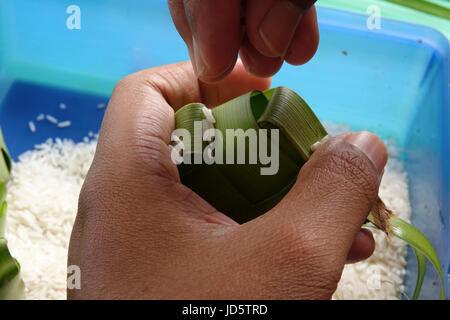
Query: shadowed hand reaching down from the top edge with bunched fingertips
point(265, 33)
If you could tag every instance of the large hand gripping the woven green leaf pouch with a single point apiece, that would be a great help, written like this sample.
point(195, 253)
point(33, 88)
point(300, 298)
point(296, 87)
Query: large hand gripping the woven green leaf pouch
point(141, 234)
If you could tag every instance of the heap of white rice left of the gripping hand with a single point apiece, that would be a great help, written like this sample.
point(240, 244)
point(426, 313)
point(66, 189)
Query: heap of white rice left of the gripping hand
point(42, 203)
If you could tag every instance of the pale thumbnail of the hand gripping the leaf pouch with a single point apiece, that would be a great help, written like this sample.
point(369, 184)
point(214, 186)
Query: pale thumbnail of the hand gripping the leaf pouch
point(372, 146)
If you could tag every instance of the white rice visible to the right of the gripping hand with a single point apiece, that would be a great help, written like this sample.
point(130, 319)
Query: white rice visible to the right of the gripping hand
point(381, 276)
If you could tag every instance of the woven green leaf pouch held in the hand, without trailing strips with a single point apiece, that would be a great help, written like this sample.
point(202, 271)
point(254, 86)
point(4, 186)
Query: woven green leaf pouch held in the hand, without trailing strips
point(256, 110)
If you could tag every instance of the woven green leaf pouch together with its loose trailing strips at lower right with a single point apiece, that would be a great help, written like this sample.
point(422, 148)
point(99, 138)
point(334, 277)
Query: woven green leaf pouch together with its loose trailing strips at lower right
point(241, 191)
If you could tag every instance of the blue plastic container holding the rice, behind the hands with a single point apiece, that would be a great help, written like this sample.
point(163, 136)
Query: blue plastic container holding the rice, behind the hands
point(393, 81)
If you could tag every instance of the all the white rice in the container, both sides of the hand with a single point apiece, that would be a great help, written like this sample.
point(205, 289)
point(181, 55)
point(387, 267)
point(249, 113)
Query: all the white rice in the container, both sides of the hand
point(42, 203)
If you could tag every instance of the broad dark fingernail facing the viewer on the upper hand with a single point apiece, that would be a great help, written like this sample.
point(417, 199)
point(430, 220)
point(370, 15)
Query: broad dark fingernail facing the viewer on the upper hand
point(279, 25)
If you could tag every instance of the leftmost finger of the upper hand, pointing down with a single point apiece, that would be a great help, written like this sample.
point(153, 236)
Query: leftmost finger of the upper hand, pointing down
point(212, 32)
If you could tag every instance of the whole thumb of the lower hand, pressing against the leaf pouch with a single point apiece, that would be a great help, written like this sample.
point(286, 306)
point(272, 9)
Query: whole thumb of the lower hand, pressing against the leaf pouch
point(316, 223)
